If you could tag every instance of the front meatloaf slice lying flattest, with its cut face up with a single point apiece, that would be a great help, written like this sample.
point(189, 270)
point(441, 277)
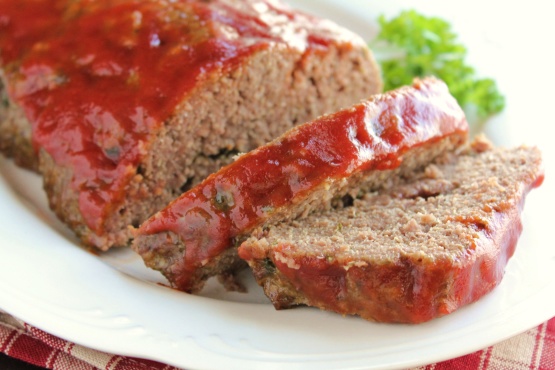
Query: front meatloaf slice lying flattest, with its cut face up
point(410, 253)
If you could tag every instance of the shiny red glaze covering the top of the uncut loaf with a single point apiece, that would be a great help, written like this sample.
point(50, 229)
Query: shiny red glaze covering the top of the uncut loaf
point(97, 78)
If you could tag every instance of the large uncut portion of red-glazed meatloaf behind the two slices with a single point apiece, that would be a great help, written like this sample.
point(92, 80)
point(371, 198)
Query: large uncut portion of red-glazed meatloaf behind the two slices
point(124, 104)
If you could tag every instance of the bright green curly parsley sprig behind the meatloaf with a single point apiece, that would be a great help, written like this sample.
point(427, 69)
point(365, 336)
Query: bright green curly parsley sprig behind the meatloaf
point(413, 45)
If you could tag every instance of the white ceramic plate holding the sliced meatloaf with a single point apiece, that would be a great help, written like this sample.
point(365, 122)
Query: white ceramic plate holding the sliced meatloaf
point(113, 303)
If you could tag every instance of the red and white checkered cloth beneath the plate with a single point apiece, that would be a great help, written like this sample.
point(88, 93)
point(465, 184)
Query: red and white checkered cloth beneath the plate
point(534, 349)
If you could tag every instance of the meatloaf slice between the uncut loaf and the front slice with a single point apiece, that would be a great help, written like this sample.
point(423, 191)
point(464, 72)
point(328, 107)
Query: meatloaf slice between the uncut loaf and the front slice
point(311, 167)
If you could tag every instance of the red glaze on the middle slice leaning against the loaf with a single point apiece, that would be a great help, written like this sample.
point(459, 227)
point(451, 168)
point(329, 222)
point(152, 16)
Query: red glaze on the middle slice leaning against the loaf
point(369, 136)
